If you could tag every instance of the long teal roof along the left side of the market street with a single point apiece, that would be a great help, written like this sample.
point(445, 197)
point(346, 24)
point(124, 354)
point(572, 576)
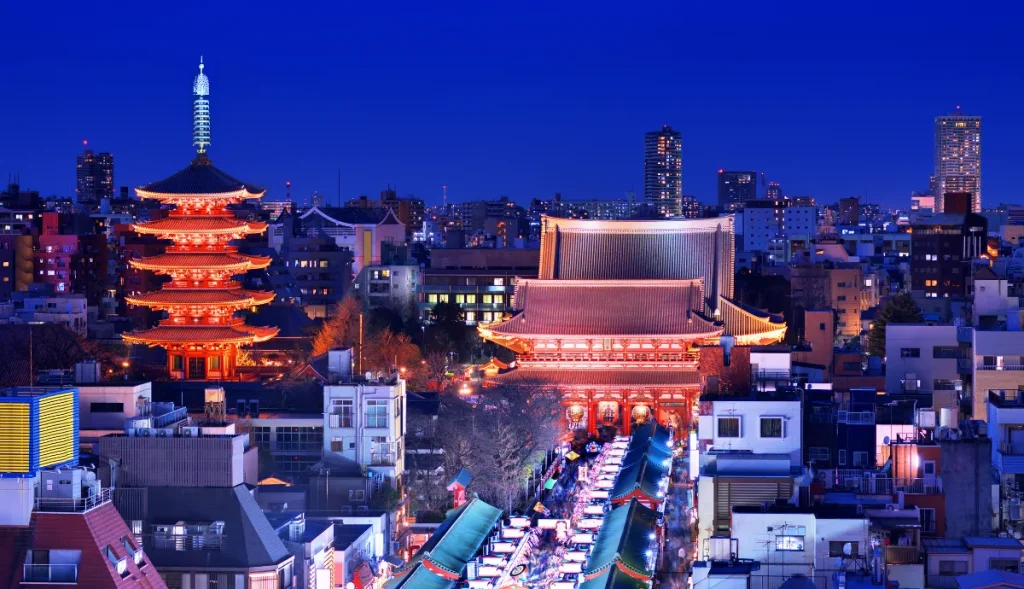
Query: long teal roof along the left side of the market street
point(452, 546)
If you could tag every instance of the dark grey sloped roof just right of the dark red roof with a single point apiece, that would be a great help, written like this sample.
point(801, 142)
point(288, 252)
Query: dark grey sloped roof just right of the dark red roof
point(248, 541)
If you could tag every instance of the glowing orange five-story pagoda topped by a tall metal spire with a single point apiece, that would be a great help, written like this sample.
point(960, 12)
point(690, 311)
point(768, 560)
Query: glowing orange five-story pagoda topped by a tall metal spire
point(201, 333)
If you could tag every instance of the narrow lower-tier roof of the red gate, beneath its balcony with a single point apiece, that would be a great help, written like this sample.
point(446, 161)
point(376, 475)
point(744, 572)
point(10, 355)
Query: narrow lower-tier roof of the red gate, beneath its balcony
point(599, 377)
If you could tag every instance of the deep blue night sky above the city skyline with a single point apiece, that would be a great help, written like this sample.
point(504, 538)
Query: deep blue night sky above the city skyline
point(518, 99)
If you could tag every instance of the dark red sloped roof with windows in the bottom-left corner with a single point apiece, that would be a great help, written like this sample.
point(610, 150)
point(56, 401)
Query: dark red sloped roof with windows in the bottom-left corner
point(92, 533)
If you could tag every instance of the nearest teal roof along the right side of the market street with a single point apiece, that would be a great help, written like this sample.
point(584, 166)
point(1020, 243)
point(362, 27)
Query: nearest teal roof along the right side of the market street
point(623, 542)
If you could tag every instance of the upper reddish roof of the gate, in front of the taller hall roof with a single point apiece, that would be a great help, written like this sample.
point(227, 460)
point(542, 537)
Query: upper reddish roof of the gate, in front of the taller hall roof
point(608, 309)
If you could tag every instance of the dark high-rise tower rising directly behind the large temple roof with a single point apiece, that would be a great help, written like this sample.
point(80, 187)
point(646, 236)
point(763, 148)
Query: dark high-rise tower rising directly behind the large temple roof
point(663, 172)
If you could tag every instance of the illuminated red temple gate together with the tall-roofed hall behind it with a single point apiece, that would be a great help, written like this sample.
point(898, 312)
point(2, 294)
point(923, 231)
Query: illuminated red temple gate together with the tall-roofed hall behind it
point(618, 316)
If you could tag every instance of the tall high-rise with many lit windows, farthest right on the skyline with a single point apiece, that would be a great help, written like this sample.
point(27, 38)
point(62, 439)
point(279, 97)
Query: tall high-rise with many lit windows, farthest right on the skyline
point(958, 158)
